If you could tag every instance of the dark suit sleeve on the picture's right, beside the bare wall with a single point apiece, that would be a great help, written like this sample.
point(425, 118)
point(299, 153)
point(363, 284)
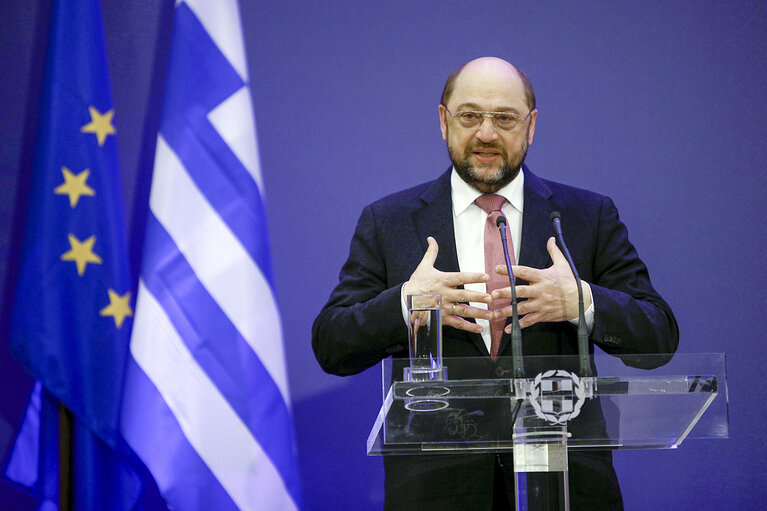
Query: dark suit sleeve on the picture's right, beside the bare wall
point(630, 316)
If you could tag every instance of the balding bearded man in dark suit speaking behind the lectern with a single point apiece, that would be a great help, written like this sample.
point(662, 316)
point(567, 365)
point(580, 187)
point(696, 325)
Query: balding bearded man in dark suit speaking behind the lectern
point(429, 239)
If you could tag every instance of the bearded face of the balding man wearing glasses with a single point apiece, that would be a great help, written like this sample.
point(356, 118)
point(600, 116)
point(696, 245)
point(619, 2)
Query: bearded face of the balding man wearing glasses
point(486, 157)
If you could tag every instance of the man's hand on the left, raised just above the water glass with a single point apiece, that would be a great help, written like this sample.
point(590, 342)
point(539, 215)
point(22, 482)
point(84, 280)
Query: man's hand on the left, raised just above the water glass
point(427, 279)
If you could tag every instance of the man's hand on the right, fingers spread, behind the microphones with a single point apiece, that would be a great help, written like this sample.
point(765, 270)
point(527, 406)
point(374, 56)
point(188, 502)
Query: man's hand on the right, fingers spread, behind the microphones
point(551, 293)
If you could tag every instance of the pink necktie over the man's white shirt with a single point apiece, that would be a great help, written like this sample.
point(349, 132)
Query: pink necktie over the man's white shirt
point(491, 204)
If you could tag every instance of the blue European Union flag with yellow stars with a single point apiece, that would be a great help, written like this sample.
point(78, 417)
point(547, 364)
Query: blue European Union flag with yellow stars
point(73, 309)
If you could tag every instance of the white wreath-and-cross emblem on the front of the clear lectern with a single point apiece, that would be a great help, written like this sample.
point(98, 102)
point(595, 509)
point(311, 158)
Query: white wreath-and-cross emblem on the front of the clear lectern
point(557, 396)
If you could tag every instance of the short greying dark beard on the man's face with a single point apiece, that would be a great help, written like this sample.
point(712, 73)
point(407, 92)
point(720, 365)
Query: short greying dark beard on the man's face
point(478, 176)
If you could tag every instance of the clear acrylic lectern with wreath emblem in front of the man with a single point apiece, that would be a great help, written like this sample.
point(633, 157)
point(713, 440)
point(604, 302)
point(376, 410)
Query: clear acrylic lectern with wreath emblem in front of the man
point(634, 402)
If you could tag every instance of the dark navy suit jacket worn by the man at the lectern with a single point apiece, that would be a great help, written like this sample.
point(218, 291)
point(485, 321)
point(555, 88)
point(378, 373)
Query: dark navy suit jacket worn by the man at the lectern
point(362, 322)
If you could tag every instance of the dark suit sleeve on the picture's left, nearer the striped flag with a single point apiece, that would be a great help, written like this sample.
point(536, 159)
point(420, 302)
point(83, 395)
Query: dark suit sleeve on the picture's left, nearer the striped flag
point(362, 322)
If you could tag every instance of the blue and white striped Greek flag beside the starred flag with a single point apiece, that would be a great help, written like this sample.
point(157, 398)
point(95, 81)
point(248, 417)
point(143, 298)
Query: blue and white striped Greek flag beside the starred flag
point(206, 405)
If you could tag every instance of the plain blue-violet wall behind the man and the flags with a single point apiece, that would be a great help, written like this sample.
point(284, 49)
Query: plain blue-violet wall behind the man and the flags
point(660, 105)
